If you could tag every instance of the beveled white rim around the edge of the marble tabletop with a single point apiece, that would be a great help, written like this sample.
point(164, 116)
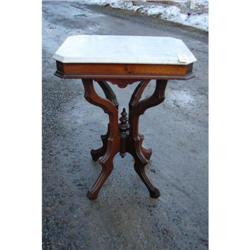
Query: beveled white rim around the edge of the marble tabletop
point(119, 60)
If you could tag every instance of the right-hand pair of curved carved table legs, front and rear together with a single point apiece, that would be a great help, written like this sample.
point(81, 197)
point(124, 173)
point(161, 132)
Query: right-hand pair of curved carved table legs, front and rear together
point(137, 108)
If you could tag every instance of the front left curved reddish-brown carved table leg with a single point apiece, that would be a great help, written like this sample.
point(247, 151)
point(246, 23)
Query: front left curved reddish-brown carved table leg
point(113, 140)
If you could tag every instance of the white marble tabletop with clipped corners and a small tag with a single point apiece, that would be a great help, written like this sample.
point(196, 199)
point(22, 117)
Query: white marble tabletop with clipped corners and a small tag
point(124, 49)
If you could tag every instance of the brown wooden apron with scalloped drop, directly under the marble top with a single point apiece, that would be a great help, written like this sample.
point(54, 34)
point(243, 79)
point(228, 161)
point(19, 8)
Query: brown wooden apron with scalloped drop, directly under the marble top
point(123, 74)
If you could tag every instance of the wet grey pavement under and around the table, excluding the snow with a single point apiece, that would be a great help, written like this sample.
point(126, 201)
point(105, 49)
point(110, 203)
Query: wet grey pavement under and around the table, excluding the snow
point(124, 216)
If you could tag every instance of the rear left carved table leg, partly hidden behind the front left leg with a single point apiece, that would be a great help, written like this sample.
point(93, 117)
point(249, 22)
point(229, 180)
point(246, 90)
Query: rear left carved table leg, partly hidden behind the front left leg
point(110, 95)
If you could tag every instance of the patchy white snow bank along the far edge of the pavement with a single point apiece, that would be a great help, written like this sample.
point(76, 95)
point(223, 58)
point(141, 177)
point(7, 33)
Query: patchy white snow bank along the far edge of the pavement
point(188, 12)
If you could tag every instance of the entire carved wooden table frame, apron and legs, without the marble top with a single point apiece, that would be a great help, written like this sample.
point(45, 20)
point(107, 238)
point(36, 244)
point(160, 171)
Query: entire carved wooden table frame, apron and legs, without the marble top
point(123, 134)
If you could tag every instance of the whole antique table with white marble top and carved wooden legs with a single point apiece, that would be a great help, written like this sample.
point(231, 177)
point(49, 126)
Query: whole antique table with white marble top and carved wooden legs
point(123, 60)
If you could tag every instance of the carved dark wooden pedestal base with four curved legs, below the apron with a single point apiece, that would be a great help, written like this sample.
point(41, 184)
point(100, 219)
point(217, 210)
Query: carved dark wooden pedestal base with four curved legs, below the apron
point(123, 135)
